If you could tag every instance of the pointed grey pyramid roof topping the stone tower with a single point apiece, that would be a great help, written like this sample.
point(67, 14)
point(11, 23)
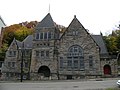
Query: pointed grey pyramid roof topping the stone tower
point(46, 22)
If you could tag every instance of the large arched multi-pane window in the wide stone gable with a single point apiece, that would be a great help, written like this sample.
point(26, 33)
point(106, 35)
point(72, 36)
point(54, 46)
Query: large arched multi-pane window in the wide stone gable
point(75, 58)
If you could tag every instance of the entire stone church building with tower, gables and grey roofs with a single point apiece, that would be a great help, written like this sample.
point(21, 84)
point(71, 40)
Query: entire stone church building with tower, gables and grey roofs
point(51, 54)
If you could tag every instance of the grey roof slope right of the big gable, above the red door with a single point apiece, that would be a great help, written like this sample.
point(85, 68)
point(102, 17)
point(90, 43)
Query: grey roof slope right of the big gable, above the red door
point(99, 40)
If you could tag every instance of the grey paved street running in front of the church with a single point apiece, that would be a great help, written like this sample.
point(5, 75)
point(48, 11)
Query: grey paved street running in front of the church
point(60, 85)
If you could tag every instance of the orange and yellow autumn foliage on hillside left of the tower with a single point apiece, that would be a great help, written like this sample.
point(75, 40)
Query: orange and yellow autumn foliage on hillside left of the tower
point(18, 31)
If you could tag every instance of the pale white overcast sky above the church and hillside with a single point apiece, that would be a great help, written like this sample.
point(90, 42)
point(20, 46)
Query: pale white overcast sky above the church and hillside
point(95, 15)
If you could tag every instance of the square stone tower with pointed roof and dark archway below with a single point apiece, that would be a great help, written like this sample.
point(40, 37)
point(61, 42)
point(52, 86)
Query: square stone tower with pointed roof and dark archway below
point(43, 60)
